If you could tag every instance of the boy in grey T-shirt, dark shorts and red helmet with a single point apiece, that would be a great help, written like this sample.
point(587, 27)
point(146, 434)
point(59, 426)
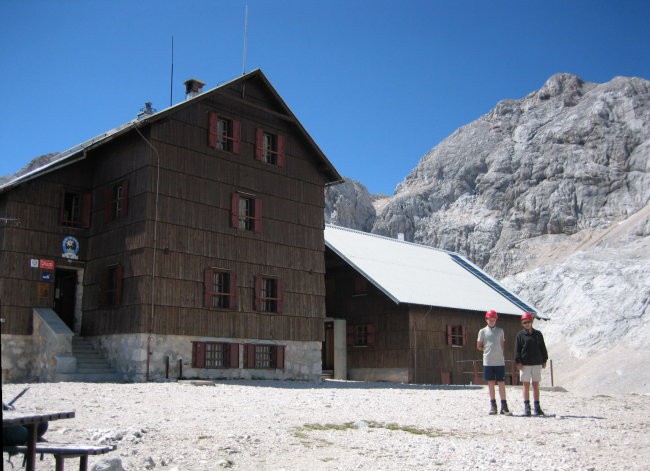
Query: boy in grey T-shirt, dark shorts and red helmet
point(491, 341)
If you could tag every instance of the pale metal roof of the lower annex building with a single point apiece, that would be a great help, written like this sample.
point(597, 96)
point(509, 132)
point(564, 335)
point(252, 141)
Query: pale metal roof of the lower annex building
point(416, 274)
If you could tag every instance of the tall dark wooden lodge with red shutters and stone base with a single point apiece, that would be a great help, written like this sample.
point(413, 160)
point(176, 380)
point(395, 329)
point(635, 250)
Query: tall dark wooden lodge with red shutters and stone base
point(184, 242)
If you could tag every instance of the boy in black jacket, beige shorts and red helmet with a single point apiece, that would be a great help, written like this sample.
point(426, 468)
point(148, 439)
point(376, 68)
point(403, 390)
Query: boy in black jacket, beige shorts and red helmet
point(530, 356)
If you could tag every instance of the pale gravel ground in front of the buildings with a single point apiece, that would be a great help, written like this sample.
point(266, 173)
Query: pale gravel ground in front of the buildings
point(336, 425)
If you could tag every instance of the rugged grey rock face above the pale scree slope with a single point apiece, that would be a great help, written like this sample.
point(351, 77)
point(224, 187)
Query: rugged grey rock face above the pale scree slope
point(570, 157)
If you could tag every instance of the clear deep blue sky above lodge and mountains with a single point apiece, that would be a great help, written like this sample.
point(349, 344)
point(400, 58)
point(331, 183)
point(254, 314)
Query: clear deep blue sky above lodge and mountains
point(376, 83)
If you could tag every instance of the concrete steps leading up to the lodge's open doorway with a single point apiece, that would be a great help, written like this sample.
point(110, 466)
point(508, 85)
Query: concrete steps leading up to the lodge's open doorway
point(92, 366)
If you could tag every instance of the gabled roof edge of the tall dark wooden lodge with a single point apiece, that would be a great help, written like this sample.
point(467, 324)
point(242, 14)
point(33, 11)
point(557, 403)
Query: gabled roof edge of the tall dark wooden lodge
point(79, 151)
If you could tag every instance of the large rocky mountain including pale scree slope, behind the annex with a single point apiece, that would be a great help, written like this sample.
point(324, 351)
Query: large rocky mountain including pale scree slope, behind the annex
point(551, 193)
